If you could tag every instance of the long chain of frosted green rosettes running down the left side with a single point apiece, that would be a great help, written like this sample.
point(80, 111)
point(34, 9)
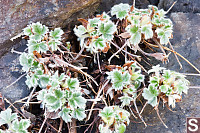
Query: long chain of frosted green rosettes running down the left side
point(59, 92)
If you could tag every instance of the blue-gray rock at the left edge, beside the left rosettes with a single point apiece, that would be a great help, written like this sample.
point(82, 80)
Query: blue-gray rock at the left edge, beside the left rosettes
point(10, 71)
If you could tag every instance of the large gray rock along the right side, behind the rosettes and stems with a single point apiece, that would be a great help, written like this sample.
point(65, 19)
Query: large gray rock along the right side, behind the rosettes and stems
point(186, 42)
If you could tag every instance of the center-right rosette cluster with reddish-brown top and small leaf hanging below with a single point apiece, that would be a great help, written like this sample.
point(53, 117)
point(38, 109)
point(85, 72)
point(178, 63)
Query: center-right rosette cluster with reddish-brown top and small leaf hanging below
point(126, 79)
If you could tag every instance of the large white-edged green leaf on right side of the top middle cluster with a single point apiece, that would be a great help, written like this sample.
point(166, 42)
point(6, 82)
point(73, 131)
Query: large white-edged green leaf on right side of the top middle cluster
point(107, 29)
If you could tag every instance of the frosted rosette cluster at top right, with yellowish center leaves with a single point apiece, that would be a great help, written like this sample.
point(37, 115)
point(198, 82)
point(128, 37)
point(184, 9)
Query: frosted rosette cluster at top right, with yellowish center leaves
point(143, 23)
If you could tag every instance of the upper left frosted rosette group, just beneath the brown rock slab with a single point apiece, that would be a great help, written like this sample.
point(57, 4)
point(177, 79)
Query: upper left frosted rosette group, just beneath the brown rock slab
point(41, 39)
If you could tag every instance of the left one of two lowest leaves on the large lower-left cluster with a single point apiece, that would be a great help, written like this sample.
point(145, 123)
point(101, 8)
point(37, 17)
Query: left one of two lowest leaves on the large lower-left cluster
point(65, 114)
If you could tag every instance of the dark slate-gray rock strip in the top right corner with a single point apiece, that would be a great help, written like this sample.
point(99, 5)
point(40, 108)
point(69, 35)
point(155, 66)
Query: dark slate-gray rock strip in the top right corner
point(181, 5)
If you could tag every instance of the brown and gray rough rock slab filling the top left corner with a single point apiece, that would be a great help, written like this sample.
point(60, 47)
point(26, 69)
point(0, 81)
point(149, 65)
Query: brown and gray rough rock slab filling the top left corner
point(16, 14)
